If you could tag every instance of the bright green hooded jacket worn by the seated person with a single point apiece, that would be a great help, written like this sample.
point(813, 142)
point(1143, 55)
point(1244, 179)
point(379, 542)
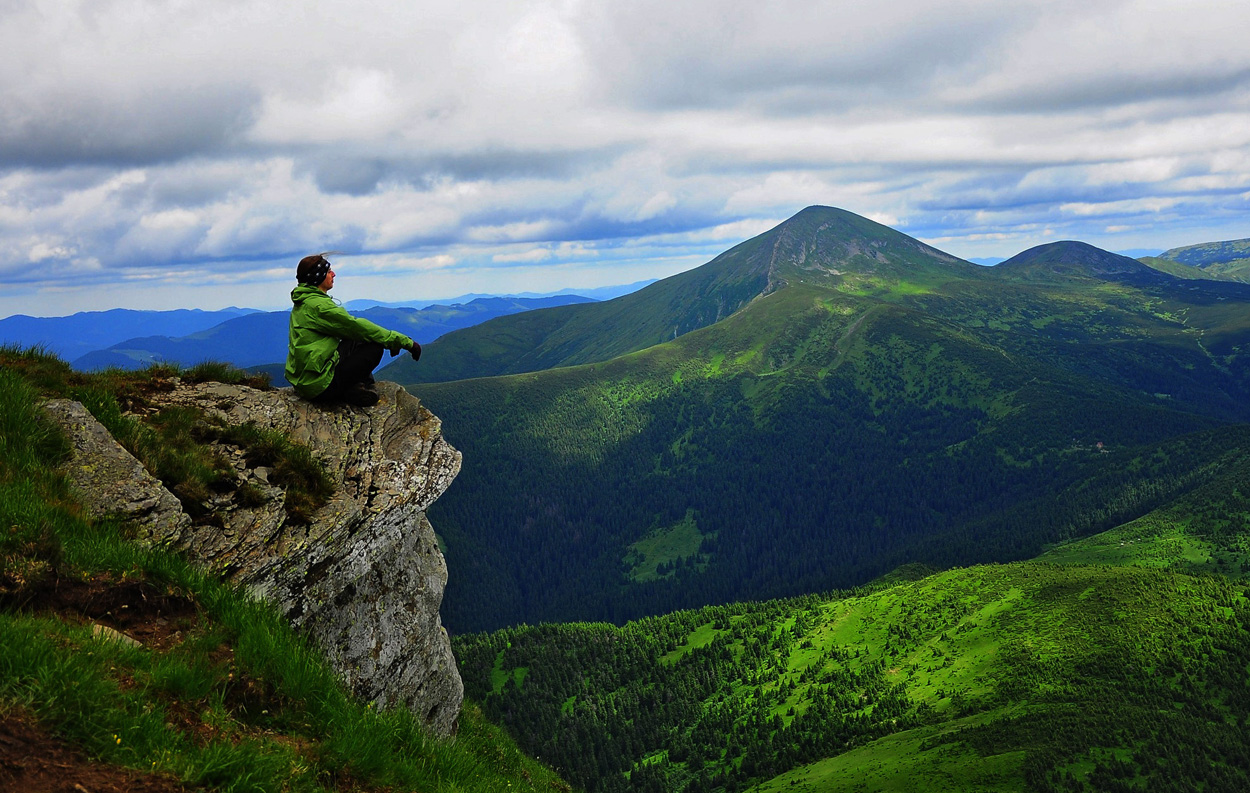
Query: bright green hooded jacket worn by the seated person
point(318, 325)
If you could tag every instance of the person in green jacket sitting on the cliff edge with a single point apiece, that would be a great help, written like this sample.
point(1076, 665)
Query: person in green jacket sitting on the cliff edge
point(332, 355)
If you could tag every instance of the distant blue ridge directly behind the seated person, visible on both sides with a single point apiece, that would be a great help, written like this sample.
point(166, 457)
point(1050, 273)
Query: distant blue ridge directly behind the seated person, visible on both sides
point(261, 338)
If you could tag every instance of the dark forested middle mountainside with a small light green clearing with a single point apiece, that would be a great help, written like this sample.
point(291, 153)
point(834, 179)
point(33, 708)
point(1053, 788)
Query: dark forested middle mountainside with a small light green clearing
point(817, 440)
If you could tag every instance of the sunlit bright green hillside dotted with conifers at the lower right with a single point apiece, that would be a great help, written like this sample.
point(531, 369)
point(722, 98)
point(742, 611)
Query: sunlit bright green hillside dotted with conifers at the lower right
point(1002, 679)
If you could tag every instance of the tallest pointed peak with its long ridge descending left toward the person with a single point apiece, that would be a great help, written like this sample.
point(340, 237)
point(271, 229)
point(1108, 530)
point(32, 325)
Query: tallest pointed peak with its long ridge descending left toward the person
point(819, 246)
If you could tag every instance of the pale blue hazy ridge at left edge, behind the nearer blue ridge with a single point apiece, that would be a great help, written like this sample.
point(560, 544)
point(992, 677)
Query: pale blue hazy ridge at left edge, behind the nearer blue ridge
point(76, 336)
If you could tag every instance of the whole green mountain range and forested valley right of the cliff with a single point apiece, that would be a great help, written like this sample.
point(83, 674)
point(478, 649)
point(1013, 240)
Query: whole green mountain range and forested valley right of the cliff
point(1022, 496)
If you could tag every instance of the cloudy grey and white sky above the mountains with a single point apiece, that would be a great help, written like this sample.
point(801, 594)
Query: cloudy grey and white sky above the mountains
point(181, 153)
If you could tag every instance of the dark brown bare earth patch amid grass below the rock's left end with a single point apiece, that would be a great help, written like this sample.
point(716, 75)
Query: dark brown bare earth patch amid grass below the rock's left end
point(144, 612)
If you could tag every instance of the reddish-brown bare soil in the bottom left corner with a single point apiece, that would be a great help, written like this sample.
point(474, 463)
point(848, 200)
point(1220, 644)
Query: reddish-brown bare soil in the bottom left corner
point(34, 762)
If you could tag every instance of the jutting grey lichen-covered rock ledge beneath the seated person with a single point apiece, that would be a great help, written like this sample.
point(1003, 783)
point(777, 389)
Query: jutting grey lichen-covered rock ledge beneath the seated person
point(364, 578)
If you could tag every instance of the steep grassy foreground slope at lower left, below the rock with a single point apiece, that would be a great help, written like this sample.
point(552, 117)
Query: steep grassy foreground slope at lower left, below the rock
point(233, 702)
